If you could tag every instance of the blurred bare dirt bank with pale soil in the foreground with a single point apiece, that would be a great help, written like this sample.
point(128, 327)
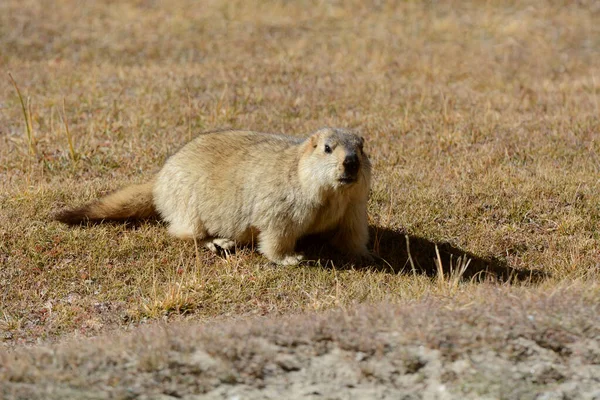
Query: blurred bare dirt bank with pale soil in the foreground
point(512, 345)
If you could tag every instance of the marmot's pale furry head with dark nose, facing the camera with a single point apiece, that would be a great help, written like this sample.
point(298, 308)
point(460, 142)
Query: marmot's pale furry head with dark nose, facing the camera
point(335, 157)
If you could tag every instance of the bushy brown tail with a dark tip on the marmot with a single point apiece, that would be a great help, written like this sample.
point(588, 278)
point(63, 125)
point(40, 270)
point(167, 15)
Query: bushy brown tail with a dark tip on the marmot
point(131, 202)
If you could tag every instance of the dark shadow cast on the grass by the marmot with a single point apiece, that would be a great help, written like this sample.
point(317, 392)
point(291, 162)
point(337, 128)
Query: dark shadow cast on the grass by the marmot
point(397, 252)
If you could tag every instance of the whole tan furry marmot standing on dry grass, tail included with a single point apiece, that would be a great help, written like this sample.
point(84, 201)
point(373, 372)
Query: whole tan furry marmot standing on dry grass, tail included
point(250, 187)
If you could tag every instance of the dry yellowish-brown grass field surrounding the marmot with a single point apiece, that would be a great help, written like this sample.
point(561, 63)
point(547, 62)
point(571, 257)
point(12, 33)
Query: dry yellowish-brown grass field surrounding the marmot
point(482, 122)
